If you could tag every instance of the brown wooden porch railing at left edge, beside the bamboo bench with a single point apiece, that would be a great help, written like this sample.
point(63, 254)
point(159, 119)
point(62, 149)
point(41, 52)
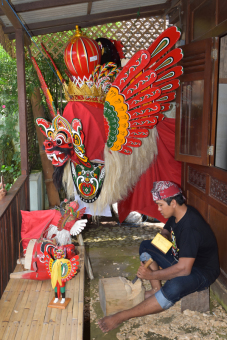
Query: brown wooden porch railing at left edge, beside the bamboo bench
point(17, 199)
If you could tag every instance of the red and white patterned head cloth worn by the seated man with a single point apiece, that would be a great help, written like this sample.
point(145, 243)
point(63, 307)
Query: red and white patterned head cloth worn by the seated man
point(164, 189)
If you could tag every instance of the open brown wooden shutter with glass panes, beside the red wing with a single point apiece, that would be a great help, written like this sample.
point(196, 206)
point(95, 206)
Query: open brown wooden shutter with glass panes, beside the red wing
point(194, 101)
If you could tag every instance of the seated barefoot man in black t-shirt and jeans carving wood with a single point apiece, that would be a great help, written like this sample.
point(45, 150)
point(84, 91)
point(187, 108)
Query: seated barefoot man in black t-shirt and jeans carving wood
point(190, 265)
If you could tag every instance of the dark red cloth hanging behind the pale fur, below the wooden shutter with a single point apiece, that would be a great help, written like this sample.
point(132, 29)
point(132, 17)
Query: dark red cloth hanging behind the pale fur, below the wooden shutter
point(164, 168)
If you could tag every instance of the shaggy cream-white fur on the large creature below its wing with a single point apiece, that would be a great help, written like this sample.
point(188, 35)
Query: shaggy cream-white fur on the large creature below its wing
point(122, 172)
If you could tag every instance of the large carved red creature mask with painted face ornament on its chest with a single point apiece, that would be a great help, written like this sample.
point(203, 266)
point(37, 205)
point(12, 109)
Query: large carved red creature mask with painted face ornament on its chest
point(65, 142)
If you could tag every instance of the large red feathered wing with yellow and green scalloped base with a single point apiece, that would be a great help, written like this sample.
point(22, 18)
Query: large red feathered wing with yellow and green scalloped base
point(142, 92)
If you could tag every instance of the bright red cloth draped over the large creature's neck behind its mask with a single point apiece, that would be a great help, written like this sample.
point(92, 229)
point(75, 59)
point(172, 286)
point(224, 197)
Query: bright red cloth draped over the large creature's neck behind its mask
point(92, 121)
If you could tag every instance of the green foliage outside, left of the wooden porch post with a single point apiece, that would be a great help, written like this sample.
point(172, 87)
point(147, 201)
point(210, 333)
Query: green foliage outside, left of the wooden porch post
point(9, 130)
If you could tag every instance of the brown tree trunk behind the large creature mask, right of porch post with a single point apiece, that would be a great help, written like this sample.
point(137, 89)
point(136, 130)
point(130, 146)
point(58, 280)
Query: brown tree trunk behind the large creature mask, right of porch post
point(48, 169)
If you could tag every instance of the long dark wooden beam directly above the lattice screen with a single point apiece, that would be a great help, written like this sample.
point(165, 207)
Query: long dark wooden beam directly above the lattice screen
point(85, 21)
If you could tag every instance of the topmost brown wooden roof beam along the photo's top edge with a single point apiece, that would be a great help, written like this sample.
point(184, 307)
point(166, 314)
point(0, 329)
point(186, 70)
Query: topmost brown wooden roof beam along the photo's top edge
point(32, 6)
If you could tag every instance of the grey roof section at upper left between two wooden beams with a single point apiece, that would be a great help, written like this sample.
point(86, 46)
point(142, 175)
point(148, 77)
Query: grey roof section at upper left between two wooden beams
point(48, 14)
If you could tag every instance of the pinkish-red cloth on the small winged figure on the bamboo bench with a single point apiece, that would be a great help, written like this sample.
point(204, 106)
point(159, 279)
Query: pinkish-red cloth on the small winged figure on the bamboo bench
point(34, 223)
